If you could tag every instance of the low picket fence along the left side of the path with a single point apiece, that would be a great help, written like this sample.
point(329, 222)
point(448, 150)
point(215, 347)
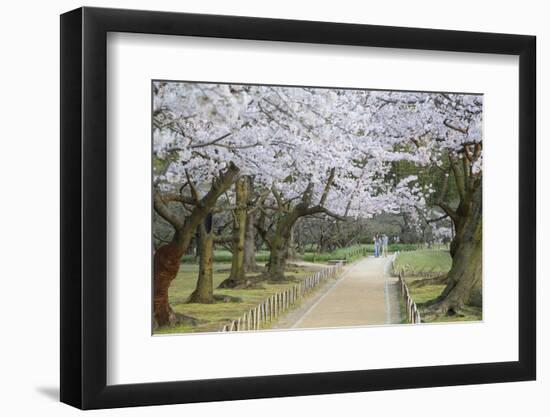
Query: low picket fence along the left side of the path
point(271, 308)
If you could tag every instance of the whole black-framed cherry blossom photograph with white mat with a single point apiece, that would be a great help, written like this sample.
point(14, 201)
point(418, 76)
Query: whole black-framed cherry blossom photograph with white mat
point(257, 208)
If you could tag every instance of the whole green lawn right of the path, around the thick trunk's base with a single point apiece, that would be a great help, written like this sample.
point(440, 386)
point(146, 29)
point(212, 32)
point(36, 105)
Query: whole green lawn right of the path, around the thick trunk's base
point(416, 264)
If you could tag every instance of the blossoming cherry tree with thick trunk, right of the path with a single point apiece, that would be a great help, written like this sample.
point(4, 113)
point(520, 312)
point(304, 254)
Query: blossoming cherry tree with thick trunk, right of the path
point(446, 130)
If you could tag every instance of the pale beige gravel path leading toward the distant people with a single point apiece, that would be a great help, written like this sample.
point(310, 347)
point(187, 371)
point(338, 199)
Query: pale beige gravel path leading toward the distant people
point(365, 295)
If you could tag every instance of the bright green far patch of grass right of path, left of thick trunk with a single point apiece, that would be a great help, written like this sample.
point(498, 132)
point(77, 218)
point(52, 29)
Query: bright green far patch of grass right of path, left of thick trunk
point(423, 261)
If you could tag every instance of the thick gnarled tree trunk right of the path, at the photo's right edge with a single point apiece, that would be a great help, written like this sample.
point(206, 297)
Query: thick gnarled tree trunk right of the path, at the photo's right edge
point(465, 277)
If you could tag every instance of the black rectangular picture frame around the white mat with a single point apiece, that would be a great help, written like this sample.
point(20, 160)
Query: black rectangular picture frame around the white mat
point(84, 207)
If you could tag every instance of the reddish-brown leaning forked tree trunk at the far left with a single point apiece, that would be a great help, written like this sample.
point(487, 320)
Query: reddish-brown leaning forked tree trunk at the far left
point(167, 258)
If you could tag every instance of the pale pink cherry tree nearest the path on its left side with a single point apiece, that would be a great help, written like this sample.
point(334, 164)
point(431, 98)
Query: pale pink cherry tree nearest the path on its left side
point(335, 168)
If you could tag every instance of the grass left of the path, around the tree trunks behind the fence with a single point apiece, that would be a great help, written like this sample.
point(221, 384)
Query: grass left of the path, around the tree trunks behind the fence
point(213, 316)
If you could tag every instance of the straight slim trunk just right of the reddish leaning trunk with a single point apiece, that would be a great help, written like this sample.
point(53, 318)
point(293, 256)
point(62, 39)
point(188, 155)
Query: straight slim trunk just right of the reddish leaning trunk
point(204, 292)
